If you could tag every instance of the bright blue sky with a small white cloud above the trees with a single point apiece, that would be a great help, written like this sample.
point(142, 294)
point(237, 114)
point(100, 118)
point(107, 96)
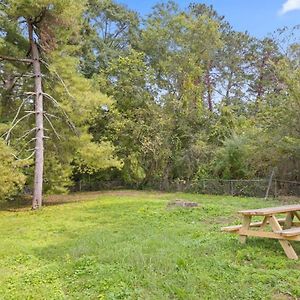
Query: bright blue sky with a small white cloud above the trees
point(258, 17)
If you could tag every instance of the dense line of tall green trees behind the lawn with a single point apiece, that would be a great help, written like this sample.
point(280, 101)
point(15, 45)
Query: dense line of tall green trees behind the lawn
point(93, 90)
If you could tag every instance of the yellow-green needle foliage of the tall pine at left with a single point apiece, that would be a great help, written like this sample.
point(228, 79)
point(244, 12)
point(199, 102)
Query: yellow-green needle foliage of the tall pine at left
point(71, 101)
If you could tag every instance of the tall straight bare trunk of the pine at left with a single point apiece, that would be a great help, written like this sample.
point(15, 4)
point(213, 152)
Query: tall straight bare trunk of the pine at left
point(39, 120)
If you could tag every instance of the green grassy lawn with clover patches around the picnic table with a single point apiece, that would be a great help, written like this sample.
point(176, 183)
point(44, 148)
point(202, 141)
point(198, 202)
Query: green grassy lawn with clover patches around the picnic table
point(127, 245)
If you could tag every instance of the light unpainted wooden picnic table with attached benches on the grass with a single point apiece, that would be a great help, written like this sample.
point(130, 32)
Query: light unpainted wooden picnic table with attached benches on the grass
point(284, 229)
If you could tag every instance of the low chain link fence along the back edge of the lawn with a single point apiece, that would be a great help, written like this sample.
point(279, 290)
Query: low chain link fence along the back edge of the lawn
point(251, 188)
